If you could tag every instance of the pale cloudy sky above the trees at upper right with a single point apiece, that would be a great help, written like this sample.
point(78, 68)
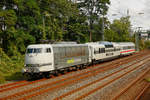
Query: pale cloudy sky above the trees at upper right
point(119, 8)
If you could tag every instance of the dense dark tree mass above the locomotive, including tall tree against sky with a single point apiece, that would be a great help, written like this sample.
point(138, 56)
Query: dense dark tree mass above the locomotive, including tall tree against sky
point(28, 21)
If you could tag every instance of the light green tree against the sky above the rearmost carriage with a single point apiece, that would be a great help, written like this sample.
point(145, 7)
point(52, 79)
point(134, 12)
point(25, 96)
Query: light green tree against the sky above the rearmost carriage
point(119, 30)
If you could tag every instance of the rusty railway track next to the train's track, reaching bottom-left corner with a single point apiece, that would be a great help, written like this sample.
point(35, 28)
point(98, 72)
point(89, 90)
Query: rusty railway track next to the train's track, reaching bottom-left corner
point(93, 71)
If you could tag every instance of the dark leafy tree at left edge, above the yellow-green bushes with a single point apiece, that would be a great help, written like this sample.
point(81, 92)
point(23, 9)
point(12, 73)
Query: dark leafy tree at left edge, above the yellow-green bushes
point(13, 33)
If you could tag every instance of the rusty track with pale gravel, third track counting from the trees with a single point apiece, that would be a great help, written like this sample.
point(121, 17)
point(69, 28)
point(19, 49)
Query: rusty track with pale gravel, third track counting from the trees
point(78, 91)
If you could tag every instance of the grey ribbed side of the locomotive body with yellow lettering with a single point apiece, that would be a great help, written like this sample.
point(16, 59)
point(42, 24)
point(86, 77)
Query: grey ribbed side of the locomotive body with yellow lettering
point(70, 55)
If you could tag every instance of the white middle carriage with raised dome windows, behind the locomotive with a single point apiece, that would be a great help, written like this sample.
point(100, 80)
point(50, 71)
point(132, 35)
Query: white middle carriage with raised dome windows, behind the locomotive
point(103, 51)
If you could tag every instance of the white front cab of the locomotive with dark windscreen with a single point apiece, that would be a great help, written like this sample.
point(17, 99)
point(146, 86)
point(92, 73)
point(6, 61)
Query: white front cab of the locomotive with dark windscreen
point(38, 58)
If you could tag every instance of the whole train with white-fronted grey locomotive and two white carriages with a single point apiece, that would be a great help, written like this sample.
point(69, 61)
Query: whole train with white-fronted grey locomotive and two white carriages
point(46, 59)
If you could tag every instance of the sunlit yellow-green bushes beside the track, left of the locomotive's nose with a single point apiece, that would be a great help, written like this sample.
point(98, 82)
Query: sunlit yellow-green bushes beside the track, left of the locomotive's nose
point(10, 68)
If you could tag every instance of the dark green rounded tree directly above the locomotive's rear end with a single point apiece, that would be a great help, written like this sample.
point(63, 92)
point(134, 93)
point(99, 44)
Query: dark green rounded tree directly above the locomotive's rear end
point(76, 29)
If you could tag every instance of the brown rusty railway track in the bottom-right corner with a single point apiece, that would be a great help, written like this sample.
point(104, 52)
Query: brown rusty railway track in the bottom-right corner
point(135, 89)
